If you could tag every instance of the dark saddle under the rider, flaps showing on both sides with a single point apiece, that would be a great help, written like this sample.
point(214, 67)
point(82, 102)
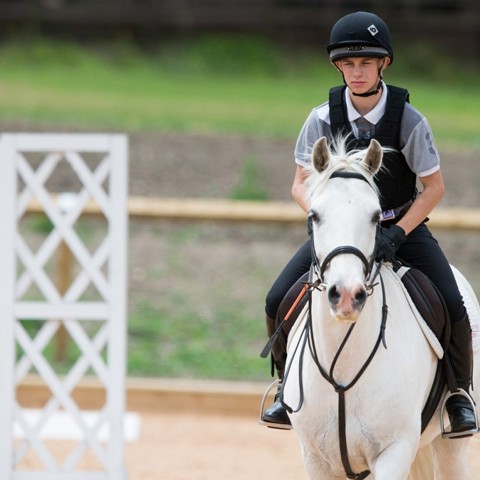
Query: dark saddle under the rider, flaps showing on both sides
point(429, 304)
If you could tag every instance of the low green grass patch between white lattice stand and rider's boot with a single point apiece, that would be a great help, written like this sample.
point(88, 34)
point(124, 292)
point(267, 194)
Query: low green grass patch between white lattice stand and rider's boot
point(181, 343)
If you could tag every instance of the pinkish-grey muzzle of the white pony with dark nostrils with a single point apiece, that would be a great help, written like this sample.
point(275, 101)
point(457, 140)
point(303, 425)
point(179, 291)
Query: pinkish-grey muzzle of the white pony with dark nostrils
point(347, 303)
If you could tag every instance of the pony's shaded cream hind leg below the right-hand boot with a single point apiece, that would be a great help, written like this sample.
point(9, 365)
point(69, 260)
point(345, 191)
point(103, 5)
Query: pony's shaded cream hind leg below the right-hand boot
point(451, 458)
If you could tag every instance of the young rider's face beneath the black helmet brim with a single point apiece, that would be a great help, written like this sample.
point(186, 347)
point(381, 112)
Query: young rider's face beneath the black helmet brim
point(361, 73)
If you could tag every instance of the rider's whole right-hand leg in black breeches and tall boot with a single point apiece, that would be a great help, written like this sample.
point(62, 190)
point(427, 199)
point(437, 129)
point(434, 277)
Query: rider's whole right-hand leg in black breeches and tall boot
point(423, 252)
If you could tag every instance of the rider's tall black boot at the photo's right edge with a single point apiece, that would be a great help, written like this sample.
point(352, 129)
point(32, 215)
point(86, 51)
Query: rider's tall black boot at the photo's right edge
point(460, 410)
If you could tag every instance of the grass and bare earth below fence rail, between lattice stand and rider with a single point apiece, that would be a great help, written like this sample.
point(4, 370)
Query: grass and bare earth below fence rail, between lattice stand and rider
point(200, 314)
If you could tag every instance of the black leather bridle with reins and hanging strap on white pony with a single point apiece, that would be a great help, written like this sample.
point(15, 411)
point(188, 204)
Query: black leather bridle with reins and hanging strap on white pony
point(307, 338)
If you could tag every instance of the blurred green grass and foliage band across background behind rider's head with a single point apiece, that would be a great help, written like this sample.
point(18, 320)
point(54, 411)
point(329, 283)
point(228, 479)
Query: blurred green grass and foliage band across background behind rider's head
point(215, 84)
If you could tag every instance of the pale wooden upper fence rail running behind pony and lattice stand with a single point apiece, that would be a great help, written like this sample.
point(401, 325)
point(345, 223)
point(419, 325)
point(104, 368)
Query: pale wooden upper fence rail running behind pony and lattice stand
point(250, 211)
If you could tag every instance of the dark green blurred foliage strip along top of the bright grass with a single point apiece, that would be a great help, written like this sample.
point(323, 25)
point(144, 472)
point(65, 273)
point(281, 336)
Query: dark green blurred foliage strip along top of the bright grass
point(224, 55)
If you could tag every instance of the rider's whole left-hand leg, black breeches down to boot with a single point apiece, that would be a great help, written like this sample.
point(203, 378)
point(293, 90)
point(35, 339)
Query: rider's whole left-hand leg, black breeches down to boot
point(296, 267)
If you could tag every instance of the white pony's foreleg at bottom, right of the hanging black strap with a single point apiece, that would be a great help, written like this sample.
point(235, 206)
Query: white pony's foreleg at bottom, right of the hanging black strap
point(395, 461)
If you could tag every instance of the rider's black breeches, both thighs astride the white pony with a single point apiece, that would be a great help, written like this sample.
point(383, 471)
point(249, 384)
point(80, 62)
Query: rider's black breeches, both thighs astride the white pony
point(421, 251)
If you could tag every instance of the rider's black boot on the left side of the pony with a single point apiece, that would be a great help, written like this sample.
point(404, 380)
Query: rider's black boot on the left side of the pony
point(276, 414)
